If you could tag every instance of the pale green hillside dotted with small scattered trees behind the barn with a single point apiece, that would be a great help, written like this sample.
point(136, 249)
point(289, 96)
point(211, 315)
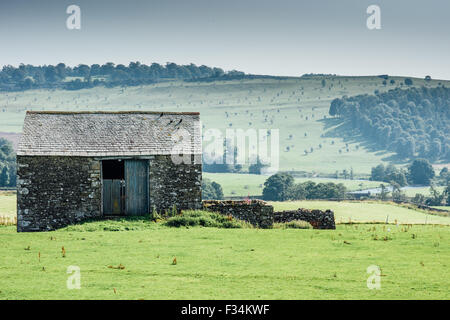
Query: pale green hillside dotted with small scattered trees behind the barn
point(298, 107)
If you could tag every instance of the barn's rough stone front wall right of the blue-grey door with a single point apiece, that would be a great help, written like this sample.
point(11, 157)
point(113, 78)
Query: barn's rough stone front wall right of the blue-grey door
point(175, 184)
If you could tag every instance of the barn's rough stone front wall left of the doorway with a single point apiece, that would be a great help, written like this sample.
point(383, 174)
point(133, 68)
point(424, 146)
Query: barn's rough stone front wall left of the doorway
point(53, 192)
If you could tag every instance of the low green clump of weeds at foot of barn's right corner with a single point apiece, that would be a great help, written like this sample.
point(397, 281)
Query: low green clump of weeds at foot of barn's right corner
point(208, 219)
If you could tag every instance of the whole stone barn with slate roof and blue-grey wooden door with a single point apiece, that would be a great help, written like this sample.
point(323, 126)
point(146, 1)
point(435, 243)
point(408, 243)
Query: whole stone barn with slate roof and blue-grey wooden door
point(74, 166)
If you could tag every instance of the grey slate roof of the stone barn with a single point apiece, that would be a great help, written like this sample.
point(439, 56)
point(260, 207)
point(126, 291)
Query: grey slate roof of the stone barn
point(109, 133)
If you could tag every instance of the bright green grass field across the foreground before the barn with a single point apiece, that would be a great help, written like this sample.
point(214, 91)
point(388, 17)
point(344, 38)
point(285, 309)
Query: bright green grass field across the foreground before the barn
point(226, 263)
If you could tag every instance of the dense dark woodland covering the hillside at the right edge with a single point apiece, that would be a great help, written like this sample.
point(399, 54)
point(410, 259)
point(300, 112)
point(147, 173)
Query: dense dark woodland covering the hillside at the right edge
point(413, 122)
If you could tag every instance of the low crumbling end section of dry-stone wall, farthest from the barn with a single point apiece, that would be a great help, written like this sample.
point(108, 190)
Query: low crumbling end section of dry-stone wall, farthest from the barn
point(317, 218)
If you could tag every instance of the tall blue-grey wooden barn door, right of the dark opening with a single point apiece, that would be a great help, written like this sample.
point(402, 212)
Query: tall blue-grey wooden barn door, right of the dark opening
point(136, 187)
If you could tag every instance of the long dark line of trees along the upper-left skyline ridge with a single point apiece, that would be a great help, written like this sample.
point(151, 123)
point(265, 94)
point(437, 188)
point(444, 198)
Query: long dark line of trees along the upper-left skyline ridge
point(83, 76)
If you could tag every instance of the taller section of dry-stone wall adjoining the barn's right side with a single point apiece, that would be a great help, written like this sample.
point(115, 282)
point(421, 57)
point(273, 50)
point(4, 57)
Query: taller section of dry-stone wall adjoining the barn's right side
point(256, 212)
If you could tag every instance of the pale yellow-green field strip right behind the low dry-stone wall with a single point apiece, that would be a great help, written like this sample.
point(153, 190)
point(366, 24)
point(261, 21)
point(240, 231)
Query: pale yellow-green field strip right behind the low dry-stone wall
point(346, 211)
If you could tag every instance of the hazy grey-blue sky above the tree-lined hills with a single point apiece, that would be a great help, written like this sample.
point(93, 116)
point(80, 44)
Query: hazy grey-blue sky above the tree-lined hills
point(282, 37)
